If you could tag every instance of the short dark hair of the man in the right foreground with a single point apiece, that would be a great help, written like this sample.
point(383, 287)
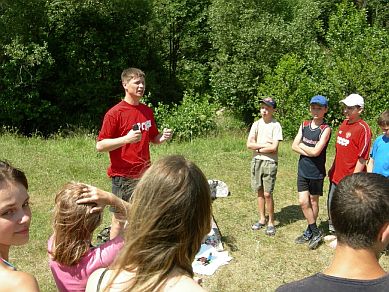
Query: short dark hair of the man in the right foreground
point(359, 208)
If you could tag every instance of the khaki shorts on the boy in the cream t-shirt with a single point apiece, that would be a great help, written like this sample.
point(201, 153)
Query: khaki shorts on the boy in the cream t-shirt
point(263, 175)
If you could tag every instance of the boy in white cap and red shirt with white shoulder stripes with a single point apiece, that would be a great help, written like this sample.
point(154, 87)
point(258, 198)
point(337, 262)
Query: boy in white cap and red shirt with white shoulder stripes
point(352, 145)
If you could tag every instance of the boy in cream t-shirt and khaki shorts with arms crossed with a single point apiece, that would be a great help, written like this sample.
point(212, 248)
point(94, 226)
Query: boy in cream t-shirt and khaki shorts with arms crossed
point(264, 137)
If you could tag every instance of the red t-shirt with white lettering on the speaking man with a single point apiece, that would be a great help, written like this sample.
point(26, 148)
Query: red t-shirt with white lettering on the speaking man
point(130, 160)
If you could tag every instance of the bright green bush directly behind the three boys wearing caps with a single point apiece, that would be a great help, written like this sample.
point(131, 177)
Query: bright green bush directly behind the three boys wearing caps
point(356, 60)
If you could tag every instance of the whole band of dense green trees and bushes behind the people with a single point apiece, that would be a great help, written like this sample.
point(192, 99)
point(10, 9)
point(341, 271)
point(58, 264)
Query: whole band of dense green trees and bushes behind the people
point(60, 61)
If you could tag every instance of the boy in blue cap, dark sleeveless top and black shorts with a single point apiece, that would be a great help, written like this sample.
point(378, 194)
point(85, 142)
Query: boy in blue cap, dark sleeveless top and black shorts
point(311, 143)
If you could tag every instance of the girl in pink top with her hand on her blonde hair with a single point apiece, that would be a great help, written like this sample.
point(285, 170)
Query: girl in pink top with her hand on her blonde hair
point(72, 258)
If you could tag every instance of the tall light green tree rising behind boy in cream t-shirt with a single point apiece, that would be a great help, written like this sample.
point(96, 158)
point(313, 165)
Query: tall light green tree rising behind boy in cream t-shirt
point(250, 37)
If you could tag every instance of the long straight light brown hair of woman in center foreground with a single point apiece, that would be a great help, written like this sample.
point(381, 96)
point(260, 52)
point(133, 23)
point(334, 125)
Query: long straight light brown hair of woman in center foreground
point(169, 216)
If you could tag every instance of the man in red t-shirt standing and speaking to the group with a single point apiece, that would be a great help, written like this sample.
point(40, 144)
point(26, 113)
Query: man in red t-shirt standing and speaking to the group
point(128, 128)
